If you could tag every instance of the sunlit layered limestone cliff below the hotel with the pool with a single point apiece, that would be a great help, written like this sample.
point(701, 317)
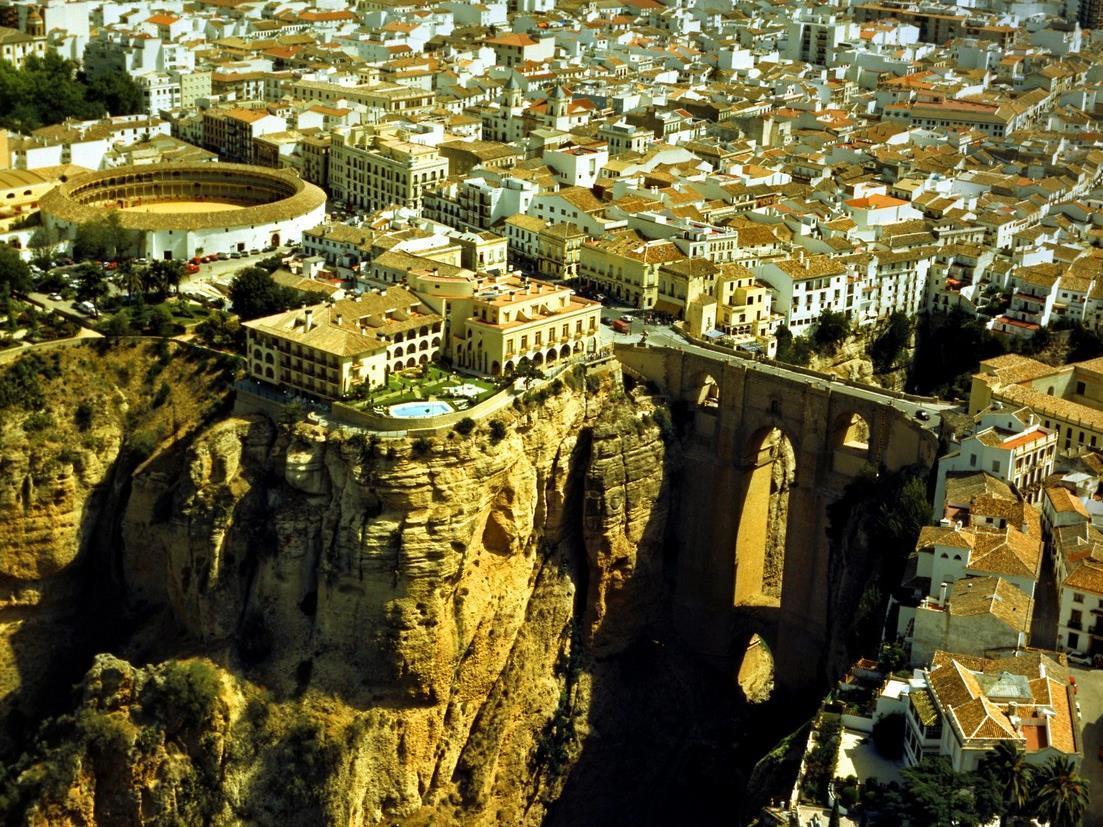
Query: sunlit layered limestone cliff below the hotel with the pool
point(425, 605)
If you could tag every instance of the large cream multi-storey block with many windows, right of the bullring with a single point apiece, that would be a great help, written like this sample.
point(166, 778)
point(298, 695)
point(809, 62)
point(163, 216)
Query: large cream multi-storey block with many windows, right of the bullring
point(374, 173)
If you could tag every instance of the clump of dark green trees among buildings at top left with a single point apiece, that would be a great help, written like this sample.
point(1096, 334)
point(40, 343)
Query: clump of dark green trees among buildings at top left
point(49, 90)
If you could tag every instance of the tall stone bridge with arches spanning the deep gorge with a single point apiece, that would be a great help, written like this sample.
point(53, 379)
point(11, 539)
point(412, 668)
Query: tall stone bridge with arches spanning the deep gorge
point(772, 448)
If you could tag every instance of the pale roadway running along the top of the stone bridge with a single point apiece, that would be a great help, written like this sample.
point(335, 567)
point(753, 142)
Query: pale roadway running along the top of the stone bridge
point(665, 337)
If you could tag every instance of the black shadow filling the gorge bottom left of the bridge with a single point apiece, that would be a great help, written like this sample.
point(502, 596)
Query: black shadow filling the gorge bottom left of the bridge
point(669, 738)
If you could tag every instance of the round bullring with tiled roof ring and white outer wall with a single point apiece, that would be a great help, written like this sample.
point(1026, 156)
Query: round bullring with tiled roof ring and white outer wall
point(186, 211)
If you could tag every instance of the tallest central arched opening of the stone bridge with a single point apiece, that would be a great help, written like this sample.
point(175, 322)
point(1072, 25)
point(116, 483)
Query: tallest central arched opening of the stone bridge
point(770, 469)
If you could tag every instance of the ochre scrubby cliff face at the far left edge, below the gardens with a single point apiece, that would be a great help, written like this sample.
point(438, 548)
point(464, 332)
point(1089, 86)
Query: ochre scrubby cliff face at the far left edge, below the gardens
point(77, 422)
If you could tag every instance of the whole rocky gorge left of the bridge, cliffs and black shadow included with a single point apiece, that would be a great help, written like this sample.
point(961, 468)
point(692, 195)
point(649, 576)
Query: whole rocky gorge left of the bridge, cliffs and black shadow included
point(282, 622)
